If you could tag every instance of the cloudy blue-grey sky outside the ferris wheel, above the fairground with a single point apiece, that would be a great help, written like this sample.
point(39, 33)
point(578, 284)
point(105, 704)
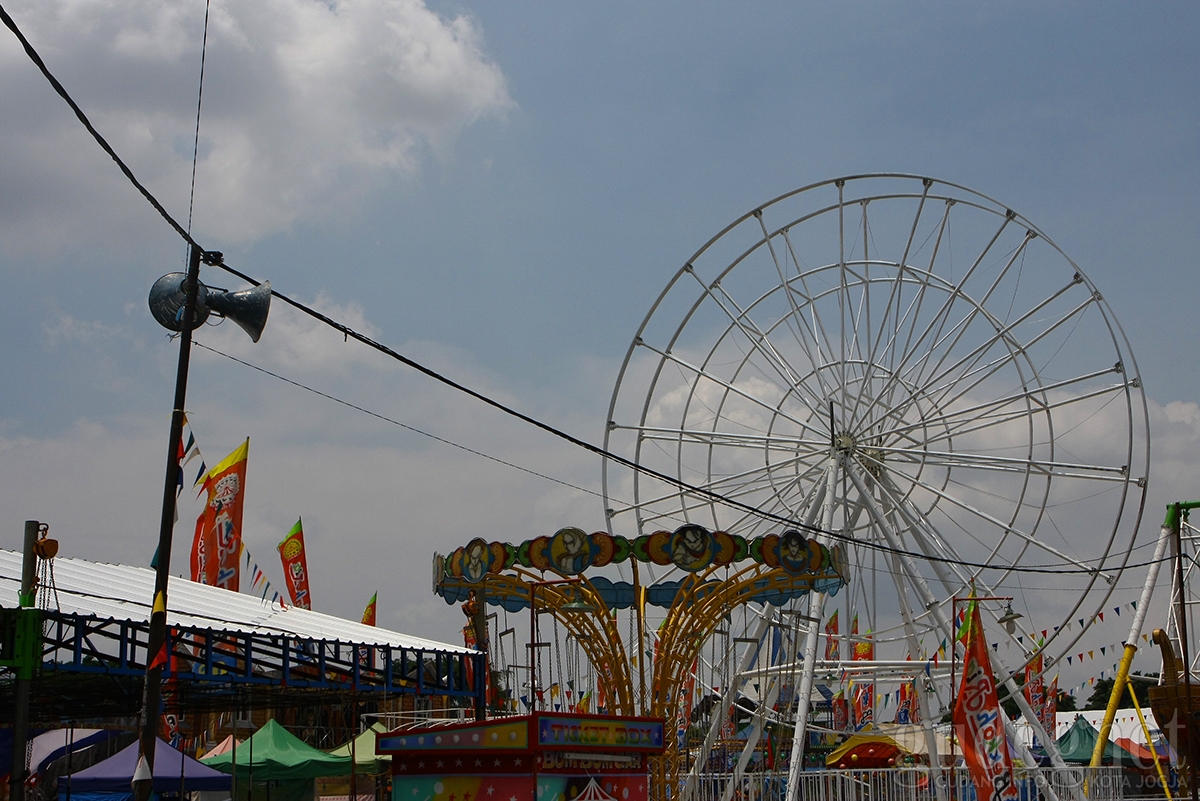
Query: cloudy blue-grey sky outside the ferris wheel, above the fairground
point(500, 191)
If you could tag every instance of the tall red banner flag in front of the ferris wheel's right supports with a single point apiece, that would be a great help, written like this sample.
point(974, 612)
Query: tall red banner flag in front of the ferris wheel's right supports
point(979, 720)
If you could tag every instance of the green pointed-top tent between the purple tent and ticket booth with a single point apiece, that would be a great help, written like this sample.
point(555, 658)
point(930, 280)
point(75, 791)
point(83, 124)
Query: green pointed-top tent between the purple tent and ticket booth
point(274, 755)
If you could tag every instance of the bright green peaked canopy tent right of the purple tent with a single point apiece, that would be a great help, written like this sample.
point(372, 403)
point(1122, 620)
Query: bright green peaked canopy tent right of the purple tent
point(274, 756)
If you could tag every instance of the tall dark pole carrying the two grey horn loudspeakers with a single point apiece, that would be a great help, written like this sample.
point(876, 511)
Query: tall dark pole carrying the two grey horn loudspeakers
point(152, 695)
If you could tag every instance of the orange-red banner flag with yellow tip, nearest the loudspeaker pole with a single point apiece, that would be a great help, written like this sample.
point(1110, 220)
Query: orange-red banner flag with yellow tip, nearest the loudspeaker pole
point(217, 549)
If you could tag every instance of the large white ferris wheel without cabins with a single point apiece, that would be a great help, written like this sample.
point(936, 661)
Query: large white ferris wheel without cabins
point(909, 370)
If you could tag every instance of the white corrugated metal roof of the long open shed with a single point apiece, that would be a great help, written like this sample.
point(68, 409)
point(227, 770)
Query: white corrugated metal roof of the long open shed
point(124, 593)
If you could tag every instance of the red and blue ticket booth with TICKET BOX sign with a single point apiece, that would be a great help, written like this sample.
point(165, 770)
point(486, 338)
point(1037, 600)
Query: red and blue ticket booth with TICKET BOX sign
point(541, 757)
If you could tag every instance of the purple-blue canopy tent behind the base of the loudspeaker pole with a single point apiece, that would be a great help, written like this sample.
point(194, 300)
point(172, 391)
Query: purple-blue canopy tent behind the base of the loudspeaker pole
point(111, 780)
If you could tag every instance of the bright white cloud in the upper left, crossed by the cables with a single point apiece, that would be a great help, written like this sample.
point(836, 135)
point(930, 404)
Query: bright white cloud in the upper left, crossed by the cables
point(309, 107)
